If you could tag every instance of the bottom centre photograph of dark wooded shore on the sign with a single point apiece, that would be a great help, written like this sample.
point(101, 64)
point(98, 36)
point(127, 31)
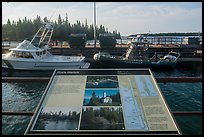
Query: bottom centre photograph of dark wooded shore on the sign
point(102, 118)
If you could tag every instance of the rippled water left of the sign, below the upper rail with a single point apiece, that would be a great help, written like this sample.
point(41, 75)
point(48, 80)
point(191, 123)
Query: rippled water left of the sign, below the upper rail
point(19, 97)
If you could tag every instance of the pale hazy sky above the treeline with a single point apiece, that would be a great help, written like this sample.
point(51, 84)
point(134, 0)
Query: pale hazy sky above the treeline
point(125, 17)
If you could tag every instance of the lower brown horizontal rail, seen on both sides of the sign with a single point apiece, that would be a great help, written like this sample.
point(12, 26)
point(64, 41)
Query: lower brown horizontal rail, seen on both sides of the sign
point(183, 113)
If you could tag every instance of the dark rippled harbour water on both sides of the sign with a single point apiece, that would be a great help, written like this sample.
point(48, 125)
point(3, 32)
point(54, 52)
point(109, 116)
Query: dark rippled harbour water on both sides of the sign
point(179, 96)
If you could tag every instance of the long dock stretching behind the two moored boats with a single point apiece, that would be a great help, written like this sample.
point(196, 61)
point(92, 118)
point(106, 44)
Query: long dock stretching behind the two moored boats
point(189, 53)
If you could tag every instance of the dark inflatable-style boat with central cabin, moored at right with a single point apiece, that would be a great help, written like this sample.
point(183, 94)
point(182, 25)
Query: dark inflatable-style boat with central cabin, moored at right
point(139, 59)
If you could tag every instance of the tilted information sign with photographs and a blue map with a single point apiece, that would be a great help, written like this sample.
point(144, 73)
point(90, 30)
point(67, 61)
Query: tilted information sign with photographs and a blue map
point(102, 101)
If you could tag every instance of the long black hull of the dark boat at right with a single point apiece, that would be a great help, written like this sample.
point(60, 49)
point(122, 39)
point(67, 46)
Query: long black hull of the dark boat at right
point(112, 62)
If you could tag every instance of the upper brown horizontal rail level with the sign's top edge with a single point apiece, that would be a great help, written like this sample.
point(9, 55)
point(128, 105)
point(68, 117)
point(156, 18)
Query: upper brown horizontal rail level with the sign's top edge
point(158, 79)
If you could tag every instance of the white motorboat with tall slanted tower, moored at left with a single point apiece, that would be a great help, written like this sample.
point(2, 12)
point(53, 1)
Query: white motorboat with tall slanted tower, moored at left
point(35, 55)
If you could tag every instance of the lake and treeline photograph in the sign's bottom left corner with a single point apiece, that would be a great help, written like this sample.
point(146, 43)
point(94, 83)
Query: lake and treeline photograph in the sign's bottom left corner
point(58, 118)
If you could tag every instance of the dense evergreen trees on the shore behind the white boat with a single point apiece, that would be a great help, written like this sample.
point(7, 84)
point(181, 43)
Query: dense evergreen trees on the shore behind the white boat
point(26, 28)
